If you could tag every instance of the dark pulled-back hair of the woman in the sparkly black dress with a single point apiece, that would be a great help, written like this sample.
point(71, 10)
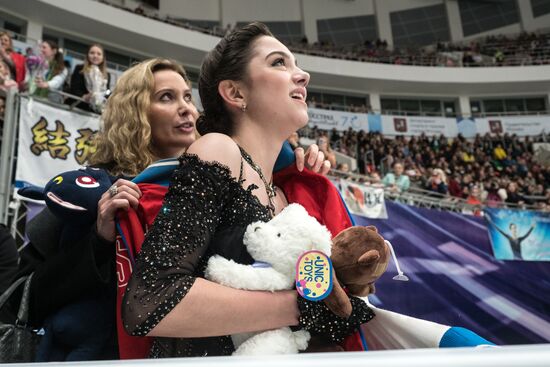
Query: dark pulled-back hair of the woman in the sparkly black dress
point(227, 61)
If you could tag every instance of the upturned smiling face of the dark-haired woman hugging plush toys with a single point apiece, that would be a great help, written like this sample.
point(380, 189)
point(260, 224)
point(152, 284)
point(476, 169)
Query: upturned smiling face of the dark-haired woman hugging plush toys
point(275, 87)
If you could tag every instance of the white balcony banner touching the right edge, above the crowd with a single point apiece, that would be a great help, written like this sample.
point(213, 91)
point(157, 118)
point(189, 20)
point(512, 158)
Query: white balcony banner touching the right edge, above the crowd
point(519, 125)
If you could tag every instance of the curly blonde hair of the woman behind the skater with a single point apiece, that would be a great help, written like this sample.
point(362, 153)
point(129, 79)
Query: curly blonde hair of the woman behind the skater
point(124, 142)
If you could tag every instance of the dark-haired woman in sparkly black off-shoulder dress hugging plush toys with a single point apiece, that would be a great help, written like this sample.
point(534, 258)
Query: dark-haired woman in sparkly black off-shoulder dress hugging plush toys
point(254, 97)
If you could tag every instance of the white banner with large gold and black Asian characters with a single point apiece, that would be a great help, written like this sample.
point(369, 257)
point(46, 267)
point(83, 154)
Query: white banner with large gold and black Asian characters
point(51, 141)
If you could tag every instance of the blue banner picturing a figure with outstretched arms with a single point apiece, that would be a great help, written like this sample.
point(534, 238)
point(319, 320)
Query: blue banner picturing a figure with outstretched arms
point(519, 234)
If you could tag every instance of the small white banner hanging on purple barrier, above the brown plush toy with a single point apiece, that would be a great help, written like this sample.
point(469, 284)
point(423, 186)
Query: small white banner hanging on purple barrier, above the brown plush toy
point(364, 200)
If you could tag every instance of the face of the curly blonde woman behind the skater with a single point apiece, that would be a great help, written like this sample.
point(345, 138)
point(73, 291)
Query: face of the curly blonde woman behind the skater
point(172, 115)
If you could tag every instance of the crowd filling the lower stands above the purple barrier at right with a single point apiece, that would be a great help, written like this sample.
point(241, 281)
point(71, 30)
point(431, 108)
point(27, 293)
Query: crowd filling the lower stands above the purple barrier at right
point(489, 169)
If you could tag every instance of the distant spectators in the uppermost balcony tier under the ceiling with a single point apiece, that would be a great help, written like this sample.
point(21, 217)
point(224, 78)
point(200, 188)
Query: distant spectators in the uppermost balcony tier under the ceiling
point(501, 50)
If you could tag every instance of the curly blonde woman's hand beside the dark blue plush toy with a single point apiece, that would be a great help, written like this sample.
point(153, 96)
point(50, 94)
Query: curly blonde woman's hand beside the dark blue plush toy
point(125, 195)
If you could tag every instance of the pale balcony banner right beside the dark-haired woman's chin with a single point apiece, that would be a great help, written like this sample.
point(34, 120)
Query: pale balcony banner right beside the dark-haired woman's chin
point(340, 120)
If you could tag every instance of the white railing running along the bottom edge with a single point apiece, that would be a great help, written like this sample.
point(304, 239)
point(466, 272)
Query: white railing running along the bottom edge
point(509, 356)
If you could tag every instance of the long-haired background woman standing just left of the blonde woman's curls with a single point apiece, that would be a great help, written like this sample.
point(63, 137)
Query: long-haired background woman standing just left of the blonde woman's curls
point(90, 80)
